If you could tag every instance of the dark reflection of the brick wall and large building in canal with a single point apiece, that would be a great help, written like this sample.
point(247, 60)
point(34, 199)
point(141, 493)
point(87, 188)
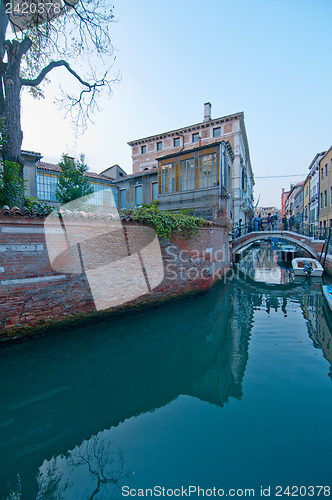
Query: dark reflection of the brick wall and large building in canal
point(62, 390)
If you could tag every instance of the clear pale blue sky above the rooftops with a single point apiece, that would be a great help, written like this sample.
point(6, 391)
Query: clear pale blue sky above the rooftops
point(269, 59)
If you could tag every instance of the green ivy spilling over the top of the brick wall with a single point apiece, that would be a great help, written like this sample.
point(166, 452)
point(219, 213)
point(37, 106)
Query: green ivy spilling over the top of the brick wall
point(165, 223)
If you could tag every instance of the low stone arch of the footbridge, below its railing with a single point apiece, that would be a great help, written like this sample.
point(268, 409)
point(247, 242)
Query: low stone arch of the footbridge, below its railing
point(311, 245)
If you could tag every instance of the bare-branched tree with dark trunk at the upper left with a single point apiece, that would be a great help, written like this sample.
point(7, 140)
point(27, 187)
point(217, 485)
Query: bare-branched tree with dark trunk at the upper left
point(35, 41)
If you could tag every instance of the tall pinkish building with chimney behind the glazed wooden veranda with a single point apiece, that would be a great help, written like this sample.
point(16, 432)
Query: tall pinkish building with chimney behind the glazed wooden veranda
point(147, 151)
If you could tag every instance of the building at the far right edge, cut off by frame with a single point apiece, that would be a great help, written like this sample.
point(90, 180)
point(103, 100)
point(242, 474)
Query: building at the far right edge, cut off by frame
point(325, 190)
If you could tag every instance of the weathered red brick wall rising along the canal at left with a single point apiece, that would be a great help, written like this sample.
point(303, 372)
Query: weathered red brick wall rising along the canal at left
point(35, 298)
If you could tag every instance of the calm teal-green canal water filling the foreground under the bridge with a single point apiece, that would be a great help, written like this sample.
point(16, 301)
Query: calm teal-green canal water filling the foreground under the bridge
point(229, 390)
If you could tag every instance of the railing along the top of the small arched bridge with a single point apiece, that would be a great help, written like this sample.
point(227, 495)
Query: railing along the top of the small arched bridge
point(309, 230)
